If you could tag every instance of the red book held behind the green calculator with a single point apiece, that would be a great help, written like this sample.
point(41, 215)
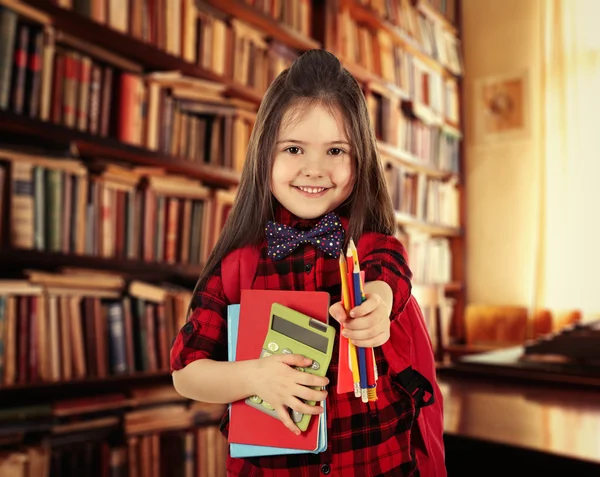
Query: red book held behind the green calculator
point(249, 425)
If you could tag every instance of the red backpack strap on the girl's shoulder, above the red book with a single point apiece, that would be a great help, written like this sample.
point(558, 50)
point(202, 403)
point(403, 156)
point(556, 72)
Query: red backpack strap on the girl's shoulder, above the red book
point(238, 270)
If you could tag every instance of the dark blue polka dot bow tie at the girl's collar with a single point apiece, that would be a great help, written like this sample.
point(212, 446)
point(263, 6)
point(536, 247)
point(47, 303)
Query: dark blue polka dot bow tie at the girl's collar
point(328, 235)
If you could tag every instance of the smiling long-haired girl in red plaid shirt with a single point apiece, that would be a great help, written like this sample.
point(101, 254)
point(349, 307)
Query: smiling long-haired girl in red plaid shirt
point(312, 164)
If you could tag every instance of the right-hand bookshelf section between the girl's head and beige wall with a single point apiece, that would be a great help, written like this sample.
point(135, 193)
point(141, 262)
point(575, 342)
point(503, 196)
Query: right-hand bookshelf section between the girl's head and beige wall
point(432, 115)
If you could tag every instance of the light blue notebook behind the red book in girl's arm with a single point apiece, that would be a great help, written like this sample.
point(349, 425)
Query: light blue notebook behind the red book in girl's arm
point(247, 450)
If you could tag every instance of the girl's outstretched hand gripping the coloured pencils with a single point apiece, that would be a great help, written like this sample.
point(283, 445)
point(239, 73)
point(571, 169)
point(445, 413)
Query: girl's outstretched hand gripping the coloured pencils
point(368, 325)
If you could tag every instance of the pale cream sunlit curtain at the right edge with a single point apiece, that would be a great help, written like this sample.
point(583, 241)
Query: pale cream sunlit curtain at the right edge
point(568, 265)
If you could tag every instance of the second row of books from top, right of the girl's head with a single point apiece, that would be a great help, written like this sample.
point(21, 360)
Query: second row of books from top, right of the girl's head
point(434, 93)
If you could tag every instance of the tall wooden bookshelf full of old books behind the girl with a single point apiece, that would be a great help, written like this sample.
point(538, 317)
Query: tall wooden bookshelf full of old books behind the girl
point(117, 135)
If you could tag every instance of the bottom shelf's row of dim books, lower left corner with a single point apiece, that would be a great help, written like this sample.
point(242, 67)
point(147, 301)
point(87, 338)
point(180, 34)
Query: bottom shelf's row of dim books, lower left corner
point(101, 436)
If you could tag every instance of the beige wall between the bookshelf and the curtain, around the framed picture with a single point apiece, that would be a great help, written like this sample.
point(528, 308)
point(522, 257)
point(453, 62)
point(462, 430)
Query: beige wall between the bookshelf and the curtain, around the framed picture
point(501, 37)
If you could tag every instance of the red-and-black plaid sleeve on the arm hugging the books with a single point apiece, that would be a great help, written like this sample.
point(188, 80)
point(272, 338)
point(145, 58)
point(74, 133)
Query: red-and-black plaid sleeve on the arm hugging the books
point(205, 333)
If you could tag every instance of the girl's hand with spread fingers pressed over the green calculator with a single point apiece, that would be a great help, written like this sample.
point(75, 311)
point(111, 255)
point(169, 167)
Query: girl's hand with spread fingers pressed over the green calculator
point(282, 386)
